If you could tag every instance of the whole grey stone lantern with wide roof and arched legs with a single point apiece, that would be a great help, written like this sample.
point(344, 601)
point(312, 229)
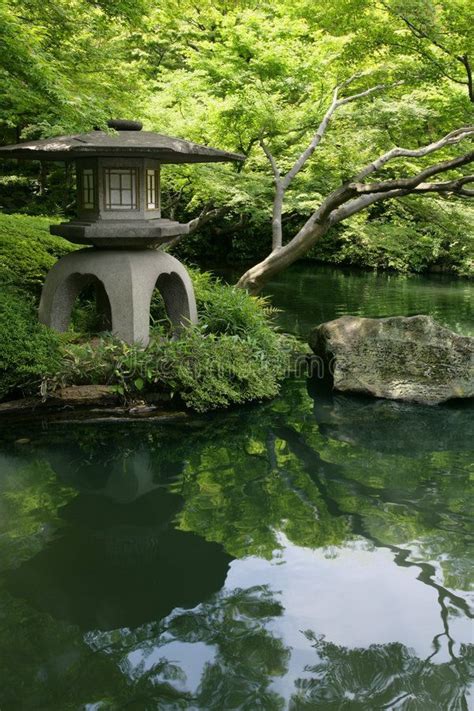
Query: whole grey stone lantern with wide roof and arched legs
point(119, 216)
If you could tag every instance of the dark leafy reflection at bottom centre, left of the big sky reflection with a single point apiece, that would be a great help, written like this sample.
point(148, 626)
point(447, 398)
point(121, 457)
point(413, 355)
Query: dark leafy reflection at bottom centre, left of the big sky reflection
point(246, 656)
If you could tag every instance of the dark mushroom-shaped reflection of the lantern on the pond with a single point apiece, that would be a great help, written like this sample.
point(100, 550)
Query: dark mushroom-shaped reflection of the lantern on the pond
point(120, 565)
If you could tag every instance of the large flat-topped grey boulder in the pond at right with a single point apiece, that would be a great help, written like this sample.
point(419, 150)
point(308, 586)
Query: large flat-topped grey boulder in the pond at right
point(402, 358)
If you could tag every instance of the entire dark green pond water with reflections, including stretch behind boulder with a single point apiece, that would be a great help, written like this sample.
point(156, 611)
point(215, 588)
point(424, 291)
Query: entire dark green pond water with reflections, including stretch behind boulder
point(309, 553)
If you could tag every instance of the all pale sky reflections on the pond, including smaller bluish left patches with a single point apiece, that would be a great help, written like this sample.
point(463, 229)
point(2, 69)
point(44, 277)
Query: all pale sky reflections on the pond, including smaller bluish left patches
point(354, 596)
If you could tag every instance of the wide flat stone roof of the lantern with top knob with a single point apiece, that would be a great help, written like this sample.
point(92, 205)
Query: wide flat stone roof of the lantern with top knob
point(129, 141)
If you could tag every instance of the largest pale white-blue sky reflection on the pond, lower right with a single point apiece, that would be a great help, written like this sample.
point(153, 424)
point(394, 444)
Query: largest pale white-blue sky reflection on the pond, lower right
point(355, 596)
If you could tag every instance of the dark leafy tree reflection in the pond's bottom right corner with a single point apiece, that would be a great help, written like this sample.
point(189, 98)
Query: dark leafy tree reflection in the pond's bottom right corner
point(381, 677)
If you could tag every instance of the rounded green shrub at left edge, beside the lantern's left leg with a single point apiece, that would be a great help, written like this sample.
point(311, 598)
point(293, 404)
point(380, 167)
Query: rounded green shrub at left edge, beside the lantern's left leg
point(29, 352)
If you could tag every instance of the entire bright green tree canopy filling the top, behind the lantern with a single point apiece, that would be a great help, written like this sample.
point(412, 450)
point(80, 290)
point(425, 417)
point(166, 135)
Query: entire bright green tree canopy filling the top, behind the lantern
point(240, 74)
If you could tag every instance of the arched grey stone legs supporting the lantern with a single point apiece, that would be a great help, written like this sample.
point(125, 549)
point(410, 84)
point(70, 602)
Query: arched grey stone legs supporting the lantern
point(126, 280)
